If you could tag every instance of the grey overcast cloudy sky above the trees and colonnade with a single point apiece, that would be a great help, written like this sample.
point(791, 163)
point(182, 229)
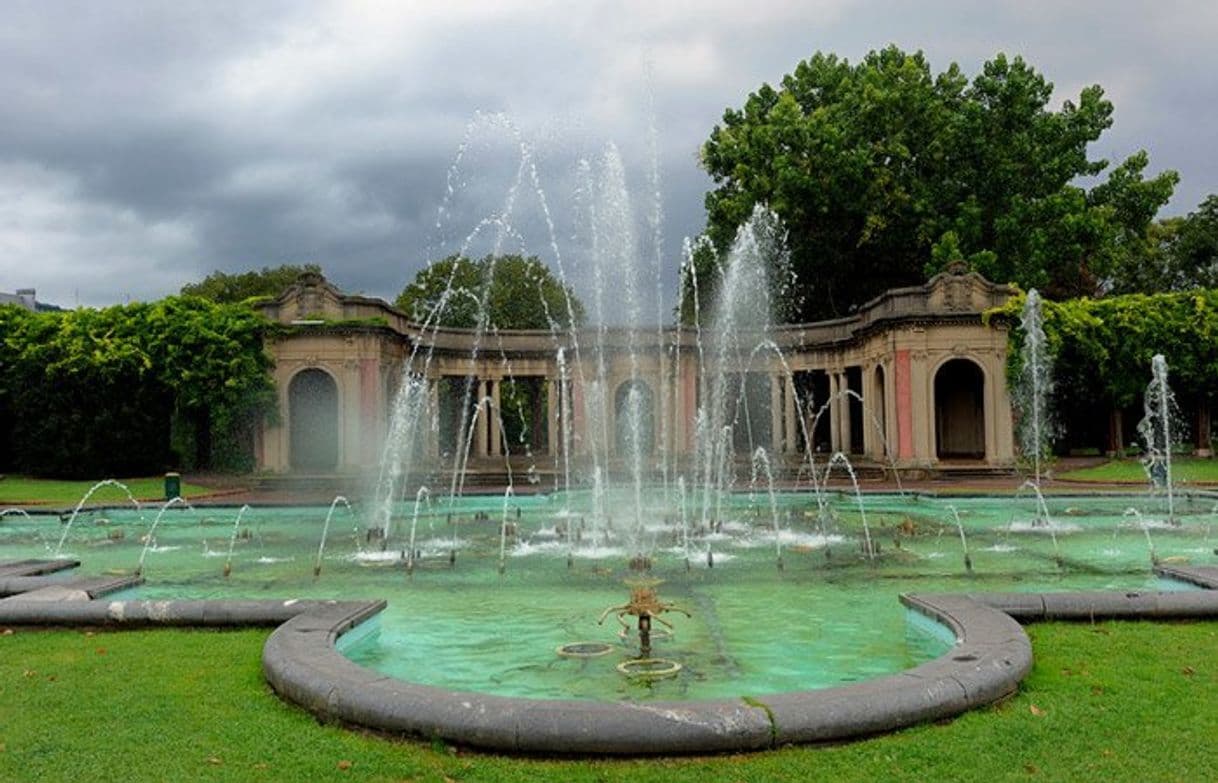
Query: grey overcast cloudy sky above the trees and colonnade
point(147, 144)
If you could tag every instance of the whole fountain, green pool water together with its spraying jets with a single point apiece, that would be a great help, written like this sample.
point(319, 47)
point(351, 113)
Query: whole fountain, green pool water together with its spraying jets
point(624, 508)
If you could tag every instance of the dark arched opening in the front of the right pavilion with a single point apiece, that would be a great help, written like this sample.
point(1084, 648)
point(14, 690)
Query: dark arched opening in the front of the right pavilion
point(960, 411)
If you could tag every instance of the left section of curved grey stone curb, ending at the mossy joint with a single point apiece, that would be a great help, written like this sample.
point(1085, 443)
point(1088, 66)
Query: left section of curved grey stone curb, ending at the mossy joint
point(303, 665)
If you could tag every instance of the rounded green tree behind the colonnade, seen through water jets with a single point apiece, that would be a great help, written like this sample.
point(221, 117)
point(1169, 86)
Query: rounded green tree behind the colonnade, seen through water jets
point(523, 294)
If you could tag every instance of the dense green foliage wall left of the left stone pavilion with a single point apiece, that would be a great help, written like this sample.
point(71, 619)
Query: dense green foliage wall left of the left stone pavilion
point(132, 390)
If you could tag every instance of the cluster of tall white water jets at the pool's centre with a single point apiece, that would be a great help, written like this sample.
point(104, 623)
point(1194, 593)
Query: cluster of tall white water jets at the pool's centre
point(616, 405)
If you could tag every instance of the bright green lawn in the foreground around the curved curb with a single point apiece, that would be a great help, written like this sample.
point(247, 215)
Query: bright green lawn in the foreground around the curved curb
point(1114, 702)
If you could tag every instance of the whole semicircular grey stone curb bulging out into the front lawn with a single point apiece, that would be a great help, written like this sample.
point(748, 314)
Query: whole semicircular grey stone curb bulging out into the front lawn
point(991, 657)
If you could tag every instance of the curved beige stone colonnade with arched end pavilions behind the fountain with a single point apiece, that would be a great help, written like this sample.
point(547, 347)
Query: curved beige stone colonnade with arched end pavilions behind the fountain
point(914, 379)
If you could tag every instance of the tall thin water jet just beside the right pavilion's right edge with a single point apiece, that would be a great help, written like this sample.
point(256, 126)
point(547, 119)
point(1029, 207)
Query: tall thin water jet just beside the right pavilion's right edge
point(1035, 390)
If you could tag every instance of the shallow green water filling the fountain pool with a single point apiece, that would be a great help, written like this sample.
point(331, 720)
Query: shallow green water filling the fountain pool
point(830, 617)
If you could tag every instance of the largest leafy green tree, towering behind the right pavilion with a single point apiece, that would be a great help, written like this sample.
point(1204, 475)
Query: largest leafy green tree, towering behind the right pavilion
point(885, 172)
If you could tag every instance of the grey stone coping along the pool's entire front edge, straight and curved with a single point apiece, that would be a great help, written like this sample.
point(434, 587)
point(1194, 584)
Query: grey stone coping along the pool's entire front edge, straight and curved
point(990, 659)
